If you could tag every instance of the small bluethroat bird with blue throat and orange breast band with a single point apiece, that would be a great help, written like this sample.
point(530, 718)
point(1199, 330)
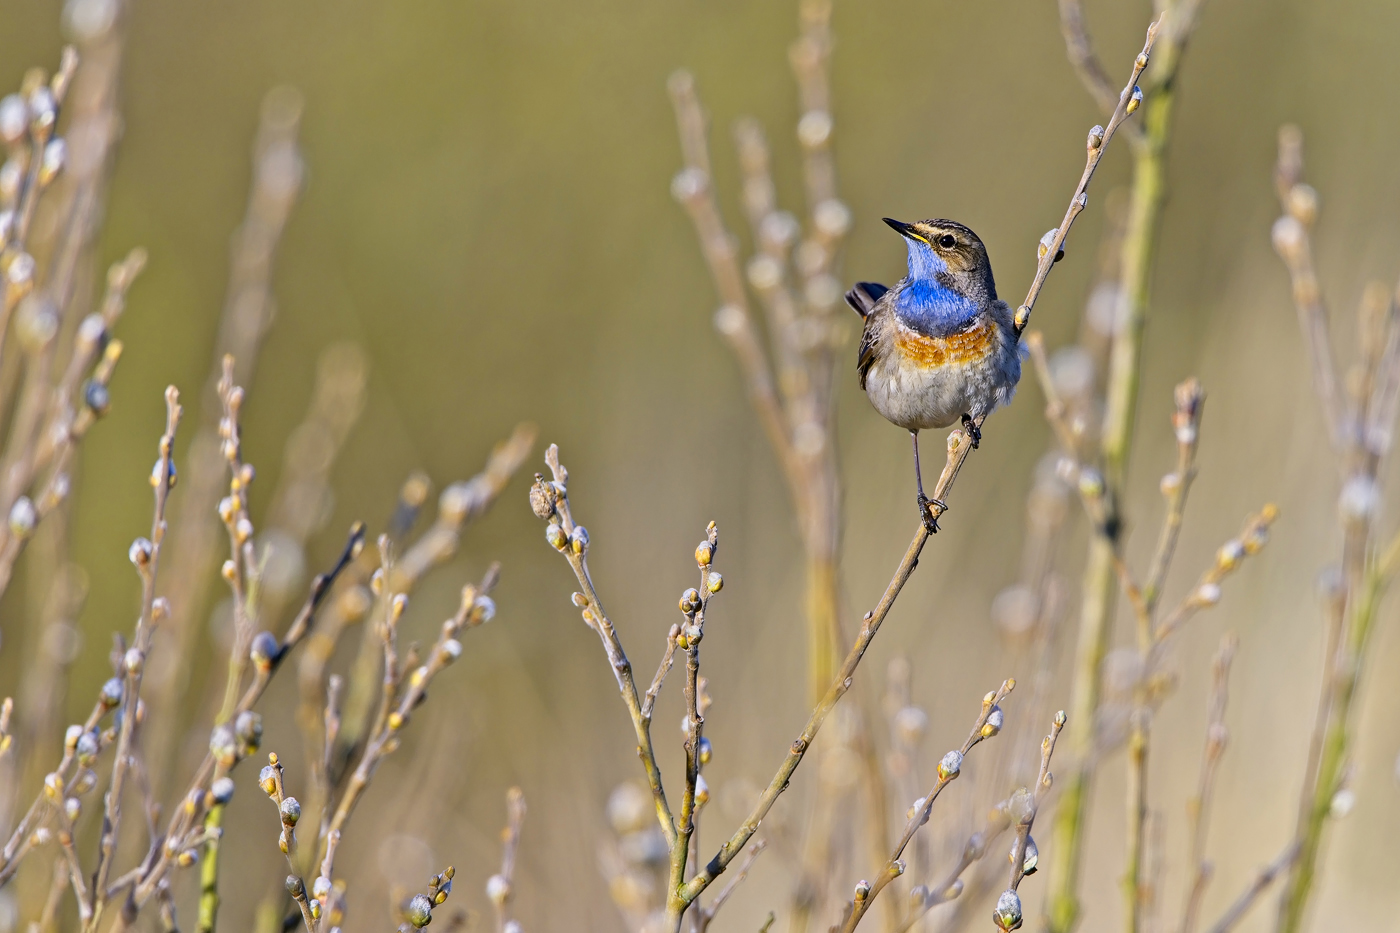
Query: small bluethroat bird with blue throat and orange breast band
point(939, 347)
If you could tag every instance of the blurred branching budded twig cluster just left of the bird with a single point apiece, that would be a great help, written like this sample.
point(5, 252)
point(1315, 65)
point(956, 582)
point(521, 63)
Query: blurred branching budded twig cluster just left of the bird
point(793, 274)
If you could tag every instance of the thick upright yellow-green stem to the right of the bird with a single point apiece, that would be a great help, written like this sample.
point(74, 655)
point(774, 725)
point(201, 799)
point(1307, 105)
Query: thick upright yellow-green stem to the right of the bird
point(1100, 576)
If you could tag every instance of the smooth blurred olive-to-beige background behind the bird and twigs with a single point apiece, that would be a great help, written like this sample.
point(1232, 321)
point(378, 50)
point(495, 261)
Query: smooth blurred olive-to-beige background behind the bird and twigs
point(488, 216)
